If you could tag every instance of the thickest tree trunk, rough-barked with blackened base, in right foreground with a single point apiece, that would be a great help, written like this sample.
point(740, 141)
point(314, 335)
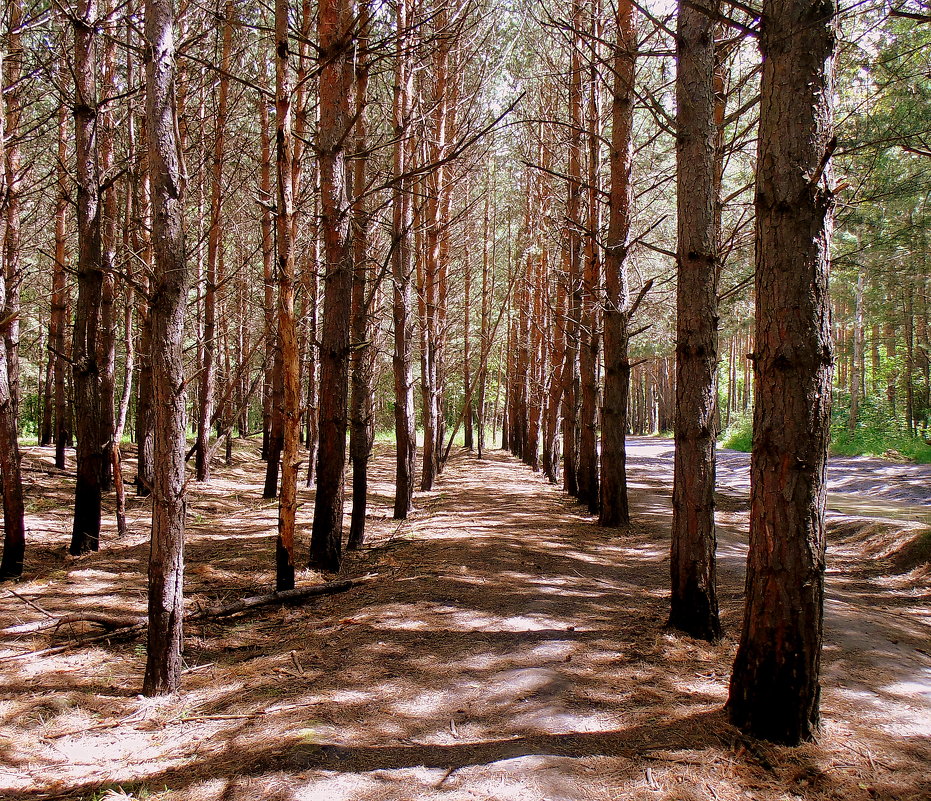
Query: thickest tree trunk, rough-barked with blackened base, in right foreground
point(774, 691)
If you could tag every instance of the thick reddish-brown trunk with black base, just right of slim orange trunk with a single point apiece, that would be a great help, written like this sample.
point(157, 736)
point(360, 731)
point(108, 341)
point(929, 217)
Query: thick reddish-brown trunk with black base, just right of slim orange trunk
point(337, 107)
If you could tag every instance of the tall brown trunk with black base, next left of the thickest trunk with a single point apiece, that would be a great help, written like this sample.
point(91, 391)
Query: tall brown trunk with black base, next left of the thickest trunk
point(694, 602)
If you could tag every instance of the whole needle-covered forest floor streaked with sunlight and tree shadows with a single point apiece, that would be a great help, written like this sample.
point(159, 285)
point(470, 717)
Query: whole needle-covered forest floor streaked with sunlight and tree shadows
point(506, 648)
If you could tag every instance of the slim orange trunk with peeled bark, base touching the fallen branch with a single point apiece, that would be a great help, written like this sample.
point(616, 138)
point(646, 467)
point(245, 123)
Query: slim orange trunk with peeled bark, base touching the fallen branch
point(287, 329)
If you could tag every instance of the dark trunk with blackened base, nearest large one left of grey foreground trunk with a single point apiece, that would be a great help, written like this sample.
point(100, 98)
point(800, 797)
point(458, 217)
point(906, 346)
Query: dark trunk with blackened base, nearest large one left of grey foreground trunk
point(87, 392)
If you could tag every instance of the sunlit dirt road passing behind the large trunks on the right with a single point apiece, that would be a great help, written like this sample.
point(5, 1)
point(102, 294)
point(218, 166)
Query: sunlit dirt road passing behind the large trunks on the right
point(877, 609)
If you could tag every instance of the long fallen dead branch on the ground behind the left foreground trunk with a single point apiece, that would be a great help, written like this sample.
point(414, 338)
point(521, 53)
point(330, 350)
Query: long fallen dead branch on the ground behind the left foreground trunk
point(209, 613)
